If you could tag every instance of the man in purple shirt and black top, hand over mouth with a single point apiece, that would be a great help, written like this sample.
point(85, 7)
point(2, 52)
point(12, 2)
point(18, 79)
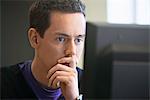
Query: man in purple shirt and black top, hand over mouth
point(57, 33)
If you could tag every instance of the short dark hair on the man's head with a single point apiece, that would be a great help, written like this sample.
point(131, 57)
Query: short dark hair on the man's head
point(40, 11)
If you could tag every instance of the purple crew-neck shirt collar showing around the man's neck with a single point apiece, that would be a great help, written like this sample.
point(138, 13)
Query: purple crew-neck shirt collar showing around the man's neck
point(40, 91)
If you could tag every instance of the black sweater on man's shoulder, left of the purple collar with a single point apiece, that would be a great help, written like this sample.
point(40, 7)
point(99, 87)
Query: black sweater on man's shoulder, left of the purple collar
point(13, 84)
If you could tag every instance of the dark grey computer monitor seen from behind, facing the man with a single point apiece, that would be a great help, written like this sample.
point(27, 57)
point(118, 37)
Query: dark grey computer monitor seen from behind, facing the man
point(116, 62)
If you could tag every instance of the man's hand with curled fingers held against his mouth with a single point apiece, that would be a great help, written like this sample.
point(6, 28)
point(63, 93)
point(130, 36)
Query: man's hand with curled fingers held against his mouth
point(65, 72)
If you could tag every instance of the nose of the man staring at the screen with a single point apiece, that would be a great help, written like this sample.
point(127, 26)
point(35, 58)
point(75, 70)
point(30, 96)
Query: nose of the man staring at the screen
point(70, 49)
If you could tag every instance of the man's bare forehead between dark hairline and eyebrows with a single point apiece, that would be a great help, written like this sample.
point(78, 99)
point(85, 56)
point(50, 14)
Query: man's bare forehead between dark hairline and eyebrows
point(68, 25)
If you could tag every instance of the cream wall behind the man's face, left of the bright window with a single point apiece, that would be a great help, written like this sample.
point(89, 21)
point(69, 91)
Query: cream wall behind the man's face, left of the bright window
point(95, 12)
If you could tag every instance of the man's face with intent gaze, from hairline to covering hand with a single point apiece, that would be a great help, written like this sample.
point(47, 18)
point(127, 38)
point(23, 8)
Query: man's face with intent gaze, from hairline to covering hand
point(65, 37)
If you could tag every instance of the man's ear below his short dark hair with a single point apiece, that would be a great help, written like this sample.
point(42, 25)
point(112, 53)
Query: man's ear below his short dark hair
point(33, 37)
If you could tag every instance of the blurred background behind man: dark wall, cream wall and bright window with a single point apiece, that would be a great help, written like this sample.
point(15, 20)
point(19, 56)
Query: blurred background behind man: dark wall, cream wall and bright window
point(14, 22)
